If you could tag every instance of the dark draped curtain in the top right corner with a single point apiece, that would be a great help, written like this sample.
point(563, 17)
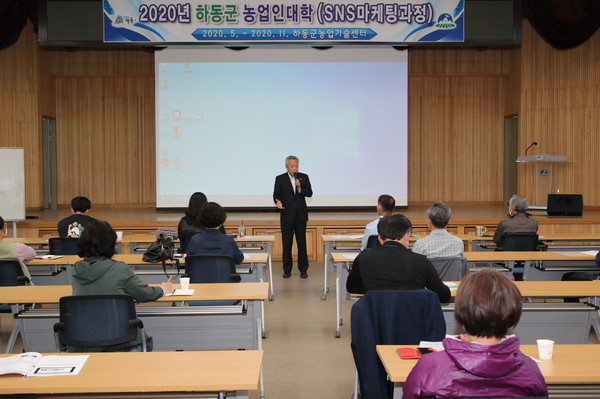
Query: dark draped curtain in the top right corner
point(563, 23)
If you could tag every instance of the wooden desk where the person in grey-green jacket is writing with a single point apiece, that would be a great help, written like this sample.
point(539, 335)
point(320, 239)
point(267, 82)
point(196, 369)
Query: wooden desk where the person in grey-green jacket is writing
point(173, 330)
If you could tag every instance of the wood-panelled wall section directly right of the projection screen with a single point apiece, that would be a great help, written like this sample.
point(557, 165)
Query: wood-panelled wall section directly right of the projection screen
point(456, 138)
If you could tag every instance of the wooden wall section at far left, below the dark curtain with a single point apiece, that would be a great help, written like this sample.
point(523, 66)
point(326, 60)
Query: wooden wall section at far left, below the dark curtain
point(19, 113)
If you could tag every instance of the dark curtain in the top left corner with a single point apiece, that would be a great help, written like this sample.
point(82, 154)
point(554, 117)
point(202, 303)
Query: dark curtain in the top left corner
point(13, 17)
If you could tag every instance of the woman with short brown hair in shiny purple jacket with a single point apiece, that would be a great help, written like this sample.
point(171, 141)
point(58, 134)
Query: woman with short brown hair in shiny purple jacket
point(484, 361)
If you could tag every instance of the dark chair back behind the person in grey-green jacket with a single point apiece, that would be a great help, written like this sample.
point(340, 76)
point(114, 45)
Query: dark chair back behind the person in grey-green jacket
point(97, 321)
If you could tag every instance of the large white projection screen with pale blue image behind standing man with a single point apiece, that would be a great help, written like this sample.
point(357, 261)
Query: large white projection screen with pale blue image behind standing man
point(226, 120)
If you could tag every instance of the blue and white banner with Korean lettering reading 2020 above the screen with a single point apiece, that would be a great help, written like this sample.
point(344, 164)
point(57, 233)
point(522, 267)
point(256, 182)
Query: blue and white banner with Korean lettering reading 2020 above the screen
point(257, 21)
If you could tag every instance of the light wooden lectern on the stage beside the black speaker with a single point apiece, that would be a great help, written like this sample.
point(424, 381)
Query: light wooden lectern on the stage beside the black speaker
point(543, 169)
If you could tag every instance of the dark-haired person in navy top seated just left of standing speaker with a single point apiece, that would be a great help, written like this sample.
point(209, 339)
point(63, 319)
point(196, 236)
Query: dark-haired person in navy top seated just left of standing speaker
point(211, 240)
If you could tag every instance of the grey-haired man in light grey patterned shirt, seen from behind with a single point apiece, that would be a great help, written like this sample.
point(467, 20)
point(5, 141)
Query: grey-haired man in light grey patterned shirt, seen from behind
point(439, 243)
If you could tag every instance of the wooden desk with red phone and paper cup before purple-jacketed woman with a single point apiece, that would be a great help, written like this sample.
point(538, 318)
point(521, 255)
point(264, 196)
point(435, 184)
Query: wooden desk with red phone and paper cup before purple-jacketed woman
point(572, 370)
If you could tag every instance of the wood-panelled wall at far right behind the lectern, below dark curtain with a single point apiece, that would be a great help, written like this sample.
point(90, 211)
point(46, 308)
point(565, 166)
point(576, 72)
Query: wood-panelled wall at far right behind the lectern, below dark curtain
point(560, 109)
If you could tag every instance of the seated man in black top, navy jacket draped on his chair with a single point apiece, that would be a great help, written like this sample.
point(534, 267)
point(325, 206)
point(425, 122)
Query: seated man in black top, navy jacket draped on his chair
point(393, 266)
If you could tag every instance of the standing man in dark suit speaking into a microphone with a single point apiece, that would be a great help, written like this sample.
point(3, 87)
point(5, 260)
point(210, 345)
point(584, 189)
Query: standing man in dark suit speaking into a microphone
point(291, 189)
